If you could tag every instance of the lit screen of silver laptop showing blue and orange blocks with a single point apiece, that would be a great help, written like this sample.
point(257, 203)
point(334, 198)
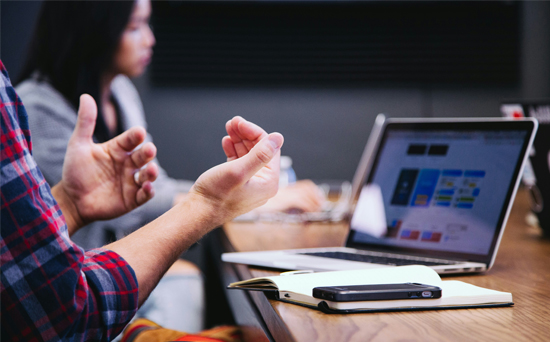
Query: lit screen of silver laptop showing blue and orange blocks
point(444, 187)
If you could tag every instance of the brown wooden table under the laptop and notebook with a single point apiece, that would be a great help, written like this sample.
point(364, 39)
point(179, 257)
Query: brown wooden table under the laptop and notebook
point(522, 267)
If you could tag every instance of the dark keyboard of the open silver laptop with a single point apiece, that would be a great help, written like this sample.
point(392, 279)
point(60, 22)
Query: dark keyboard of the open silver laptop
point(375, 259)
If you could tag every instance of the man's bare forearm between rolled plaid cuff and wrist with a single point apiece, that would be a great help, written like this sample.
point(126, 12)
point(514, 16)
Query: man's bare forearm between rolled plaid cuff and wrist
point(151, 250)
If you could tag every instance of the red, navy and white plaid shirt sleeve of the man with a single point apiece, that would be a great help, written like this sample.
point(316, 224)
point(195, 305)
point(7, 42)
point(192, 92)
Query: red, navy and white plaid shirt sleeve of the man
point(51, 289)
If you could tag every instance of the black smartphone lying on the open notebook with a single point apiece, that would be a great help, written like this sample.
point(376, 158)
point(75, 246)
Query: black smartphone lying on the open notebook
point(354, 293)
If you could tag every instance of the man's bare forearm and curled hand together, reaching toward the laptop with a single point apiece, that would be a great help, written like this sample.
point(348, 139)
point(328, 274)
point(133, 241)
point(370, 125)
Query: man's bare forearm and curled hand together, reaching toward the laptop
point(247, 180)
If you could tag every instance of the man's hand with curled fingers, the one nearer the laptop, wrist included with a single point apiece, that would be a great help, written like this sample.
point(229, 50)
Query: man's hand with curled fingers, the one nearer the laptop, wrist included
point(249, 177)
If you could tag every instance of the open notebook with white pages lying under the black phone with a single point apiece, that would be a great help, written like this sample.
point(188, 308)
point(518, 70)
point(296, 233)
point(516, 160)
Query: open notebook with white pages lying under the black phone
point(297, 288)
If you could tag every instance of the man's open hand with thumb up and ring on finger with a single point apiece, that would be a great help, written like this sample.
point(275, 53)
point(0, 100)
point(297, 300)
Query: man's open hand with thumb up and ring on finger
point(99, 180)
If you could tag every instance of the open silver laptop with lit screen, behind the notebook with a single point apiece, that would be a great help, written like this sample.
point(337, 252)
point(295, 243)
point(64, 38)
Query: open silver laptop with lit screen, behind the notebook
point(445, 188)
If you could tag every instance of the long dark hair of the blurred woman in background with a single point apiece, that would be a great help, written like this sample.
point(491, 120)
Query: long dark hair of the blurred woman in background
point(74, 43)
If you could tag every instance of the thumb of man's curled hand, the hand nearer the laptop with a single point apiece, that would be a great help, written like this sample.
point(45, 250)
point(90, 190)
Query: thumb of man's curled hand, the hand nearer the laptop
point(262, 154)
